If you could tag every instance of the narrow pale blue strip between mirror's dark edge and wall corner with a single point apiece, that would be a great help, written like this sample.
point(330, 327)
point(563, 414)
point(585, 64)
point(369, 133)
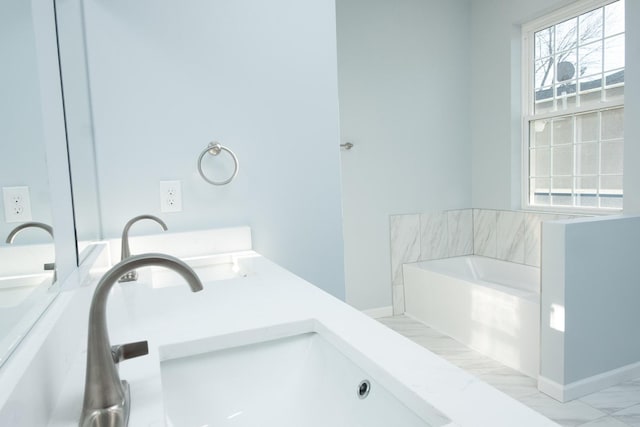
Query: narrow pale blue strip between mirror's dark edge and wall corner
point(79, 123)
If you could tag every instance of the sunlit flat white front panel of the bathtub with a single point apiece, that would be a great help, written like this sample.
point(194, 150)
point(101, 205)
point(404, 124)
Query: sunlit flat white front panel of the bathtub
point(499, 325)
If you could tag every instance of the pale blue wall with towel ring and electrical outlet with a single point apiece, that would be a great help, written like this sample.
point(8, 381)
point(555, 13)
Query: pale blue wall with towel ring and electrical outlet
point(260, 77)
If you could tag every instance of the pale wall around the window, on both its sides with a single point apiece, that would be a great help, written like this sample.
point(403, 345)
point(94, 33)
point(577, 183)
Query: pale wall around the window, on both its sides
point(496, 100)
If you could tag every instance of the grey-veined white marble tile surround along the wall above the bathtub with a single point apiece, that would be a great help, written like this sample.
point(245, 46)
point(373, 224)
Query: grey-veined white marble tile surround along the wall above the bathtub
point(512, 236)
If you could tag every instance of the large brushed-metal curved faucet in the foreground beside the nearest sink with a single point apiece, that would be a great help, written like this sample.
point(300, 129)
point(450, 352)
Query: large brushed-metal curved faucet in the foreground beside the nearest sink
point(106, 397)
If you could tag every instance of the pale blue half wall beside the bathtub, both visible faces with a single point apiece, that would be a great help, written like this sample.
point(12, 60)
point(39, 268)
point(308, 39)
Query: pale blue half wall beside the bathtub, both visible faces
point(590, 267)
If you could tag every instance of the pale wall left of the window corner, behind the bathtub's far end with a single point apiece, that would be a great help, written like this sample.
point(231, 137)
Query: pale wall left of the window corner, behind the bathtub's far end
point(404, 94)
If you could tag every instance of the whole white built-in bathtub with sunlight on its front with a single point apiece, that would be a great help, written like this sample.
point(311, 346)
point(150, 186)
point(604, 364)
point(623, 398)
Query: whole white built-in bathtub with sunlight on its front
point(490, 305)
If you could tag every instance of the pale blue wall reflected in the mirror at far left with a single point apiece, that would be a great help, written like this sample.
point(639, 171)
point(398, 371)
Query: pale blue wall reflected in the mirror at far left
point(21, 123)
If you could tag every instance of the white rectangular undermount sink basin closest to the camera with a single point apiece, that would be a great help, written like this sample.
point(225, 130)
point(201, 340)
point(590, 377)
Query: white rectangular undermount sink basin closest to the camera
point(289, 377)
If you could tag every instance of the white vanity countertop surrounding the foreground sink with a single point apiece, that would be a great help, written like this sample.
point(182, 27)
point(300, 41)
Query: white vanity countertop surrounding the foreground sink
point(271, 296)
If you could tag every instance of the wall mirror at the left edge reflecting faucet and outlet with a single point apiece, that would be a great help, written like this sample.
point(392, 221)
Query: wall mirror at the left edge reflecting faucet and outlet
point(27, 258)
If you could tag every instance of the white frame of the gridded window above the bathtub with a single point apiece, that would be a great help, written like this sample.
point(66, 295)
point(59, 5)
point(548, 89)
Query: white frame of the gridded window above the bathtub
point(528, 89)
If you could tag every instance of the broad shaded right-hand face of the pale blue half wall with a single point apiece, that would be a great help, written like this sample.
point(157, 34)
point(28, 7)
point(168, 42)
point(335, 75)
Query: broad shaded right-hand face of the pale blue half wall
point(601, 296)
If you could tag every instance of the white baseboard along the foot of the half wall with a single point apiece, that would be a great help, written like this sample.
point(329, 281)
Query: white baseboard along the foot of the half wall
point(581, 388)
